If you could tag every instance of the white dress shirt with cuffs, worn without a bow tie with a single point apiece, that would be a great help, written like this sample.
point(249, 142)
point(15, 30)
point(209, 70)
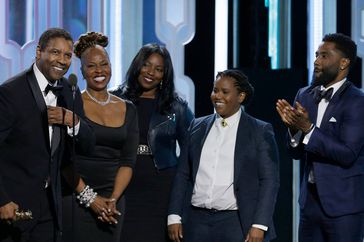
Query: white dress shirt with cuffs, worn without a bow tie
point(214, 185)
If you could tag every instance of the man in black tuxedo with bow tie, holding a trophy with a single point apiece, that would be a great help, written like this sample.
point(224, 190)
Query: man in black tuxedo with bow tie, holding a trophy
point(35, 129)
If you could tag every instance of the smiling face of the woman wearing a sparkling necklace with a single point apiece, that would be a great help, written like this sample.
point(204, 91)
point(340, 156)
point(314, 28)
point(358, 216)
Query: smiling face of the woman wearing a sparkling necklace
point(96, 68)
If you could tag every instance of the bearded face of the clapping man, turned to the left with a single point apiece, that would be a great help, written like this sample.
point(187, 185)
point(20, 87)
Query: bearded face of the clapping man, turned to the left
point(330, 66)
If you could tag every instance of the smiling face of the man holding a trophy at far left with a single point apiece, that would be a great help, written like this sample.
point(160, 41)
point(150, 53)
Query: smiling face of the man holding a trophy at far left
point(55, 59)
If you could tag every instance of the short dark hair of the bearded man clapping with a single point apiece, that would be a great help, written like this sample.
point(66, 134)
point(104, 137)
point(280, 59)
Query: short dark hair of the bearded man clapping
point(344, 44)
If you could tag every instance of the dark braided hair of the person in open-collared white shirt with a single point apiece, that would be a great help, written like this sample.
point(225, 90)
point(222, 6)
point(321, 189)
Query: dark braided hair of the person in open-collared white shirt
point(241, 82)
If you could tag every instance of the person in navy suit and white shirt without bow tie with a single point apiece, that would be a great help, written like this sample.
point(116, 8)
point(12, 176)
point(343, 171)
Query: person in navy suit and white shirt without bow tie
point(240, 157)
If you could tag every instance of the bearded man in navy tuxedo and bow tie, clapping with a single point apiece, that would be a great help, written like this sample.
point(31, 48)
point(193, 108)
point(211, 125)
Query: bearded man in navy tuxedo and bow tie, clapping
point(326, 127)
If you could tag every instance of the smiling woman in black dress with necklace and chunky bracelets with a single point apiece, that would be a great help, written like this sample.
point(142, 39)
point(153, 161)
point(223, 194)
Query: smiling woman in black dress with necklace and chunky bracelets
point(108, 169)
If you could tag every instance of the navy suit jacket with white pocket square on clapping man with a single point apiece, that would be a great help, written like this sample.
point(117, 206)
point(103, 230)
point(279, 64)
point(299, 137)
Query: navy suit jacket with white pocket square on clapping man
point(335, 151)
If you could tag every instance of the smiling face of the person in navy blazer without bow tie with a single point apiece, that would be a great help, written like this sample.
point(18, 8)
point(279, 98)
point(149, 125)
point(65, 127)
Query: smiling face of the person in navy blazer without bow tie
point(225, 97)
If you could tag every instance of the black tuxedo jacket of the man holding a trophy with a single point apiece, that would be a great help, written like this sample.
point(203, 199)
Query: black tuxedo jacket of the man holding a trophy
point(26, 158)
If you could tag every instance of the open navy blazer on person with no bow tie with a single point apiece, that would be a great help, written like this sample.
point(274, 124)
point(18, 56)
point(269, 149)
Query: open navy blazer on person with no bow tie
point(256, 174)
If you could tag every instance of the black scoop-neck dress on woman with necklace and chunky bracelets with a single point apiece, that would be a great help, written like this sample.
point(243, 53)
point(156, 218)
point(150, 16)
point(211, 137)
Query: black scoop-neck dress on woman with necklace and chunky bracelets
point(115, 147)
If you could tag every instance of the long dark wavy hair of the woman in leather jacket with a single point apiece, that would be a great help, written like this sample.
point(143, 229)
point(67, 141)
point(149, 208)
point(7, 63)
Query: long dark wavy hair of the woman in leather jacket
point(166, 93)
